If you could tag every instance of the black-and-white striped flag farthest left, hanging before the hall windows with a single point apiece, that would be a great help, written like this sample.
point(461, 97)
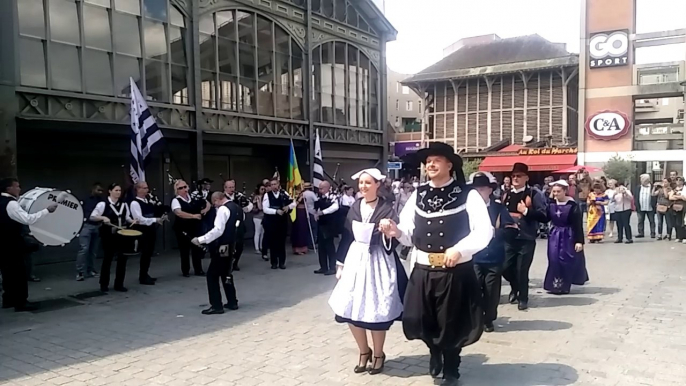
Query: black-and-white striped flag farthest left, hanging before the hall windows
point(144, 134)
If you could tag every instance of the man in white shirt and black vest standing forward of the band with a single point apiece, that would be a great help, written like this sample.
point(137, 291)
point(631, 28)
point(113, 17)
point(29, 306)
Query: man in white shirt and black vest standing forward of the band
point(222, 242)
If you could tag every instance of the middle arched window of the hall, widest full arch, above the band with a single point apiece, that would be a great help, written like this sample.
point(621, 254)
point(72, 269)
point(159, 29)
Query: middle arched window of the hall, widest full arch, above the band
point(250, 64)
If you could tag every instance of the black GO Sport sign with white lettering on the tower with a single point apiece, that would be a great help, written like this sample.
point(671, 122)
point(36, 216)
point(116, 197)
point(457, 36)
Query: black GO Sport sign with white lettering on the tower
point(609, 49)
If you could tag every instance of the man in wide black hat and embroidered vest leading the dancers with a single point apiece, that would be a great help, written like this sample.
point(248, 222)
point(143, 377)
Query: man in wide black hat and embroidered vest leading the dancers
point(447, 224)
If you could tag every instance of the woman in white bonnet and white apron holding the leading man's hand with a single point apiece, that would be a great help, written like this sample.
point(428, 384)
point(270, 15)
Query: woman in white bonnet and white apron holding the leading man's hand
point(371, 279)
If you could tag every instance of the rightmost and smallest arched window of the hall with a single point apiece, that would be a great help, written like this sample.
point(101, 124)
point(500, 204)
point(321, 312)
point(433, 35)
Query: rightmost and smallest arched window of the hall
point(345, 86)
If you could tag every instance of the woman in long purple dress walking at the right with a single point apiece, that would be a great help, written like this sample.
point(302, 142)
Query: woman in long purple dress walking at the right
point(566, 261)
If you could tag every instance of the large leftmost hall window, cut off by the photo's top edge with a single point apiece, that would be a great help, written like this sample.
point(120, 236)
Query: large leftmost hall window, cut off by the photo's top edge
point(94, 46)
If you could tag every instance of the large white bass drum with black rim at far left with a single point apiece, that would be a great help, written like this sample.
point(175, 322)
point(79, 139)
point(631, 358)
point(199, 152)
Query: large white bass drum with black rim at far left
point(59, 228)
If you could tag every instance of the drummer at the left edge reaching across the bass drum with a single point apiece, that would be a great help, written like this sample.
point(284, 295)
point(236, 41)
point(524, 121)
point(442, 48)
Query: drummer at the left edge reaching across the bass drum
point(13, 218)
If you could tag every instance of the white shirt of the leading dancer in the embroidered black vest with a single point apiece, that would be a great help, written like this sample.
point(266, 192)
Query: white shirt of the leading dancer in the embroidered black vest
point(481, 229)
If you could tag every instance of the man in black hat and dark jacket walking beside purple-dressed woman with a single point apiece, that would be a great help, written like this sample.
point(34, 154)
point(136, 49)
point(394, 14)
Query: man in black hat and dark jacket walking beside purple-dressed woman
point(528, 207)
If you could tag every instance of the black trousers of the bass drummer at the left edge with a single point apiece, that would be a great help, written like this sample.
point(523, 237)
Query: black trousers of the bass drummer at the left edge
point(15, 287)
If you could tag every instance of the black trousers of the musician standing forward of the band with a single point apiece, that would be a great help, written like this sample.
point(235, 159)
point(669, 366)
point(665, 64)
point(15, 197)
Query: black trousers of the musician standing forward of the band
point(220, 270)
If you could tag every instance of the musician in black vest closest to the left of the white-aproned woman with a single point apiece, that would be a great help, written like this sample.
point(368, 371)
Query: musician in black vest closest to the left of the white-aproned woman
point(326, 216)
